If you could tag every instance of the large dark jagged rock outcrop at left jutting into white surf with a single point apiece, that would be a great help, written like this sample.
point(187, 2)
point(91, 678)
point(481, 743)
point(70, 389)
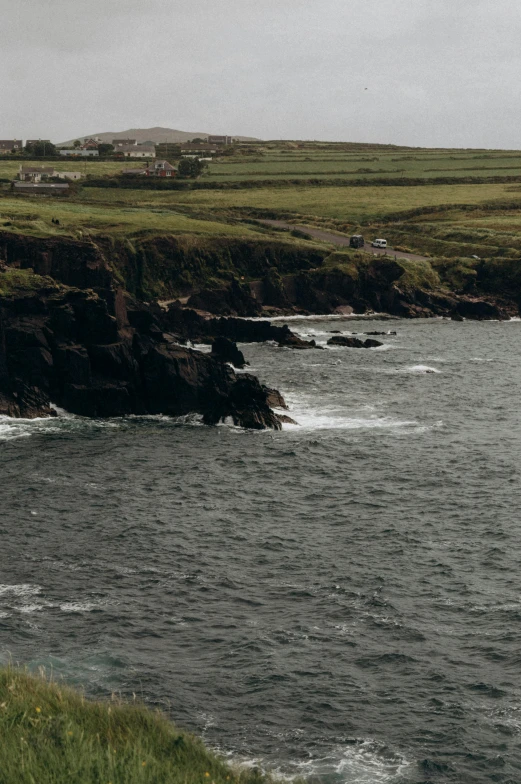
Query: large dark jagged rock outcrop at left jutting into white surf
point(80, 350)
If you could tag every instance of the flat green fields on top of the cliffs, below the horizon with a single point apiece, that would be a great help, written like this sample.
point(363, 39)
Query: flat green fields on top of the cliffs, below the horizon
point(451, 218)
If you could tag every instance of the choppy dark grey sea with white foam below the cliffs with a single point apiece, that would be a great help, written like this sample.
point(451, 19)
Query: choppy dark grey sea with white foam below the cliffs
point(340, 600)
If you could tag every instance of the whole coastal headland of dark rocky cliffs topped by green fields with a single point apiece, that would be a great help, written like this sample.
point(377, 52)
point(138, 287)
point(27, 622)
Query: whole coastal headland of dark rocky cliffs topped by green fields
point(104, 293)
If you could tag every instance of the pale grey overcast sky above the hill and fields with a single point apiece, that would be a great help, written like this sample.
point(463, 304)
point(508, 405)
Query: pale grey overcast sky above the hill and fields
point(418, 72)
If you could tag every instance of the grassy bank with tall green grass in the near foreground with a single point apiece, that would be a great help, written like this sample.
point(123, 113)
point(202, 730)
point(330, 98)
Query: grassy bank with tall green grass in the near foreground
point(50, 734)
